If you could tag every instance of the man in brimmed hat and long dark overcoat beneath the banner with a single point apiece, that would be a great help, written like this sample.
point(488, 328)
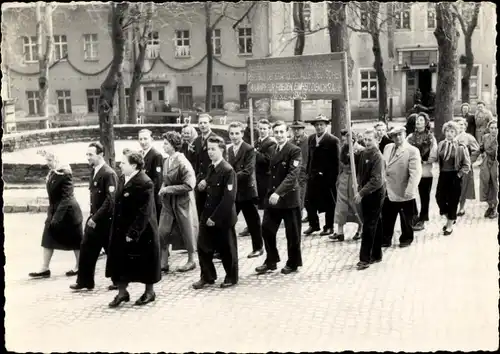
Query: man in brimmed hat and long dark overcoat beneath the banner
point(322, 172)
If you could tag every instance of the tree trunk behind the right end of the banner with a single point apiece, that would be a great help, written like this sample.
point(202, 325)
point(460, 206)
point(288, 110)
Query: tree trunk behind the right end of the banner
point(339, 42)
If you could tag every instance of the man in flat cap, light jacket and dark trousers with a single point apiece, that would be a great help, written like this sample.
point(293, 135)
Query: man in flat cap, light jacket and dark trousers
point(403, 173)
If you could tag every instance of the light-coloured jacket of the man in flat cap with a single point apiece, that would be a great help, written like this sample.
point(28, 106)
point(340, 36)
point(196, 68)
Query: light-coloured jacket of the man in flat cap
point(403, 172)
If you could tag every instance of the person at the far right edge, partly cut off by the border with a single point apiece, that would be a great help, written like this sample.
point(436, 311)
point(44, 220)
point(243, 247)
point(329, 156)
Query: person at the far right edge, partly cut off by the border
point(488, 175)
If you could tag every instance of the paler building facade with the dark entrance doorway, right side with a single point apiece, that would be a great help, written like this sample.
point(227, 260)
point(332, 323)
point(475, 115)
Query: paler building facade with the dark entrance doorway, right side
point(415, 56)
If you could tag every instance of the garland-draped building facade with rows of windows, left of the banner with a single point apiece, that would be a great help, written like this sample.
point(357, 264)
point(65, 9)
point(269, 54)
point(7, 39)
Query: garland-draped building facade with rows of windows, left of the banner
point(174, 70)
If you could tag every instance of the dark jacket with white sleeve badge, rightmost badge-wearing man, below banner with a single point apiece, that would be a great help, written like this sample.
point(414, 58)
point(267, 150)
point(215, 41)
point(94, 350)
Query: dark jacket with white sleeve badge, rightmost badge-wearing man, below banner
point(285, 168)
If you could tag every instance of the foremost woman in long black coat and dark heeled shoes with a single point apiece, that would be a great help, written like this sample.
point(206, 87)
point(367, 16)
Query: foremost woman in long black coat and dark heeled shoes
point(134, 247)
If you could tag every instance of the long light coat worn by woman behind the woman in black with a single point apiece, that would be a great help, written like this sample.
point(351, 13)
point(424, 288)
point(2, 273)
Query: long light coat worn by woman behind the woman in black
point(179, 218)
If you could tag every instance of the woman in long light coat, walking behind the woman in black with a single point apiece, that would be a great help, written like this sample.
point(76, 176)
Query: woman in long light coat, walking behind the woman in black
point(179, 218)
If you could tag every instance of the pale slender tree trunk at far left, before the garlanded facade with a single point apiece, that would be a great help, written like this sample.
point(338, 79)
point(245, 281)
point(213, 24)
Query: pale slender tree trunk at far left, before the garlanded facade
point(44, 26)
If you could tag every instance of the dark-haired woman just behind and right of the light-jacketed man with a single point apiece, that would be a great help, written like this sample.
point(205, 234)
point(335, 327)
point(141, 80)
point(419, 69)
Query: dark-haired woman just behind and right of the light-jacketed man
point(426, 143)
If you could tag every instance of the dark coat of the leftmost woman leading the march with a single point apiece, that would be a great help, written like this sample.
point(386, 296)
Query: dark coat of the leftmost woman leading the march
point(63, 227)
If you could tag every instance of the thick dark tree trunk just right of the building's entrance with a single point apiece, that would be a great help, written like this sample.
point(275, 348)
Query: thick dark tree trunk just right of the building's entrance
point(447, 38)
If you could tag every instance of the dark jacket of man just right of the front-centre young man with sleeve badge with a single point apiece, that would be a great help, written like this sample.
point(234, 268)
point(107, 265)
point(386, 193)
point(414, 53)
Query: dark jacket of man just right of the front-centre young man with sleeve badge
point(244, 166)
